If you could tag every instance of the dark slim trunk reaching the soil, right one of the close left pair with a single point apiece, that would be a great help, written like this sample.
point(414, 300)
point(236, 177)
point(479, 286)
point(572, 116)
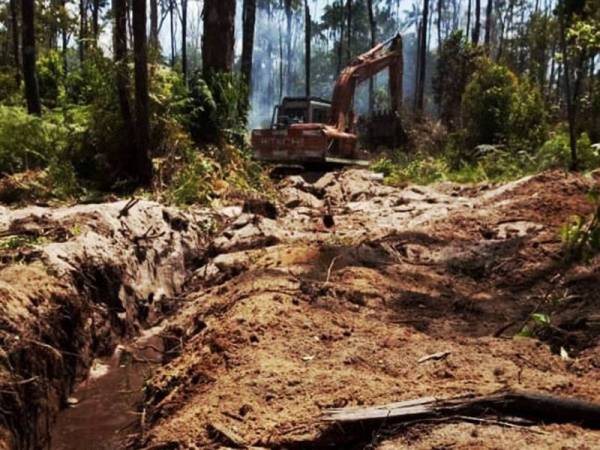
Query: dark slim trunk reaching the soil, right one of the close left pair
point(142, 164)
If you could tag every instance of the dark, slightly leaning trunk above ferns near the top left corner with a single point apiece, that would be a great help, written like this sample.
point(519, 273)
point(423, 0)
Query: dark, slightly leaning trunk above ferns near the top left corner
point(32, 93)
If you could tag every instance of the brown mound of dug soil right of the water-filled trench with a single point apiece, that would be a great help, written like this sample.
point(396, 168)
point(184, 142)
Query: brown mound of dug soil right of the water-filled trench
point(289, 317)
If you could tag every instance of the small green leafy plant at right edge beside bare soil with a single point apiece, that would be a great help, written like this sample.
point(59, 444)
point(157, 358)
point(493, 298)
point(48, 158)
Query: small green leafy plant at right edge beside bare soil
point(581, 237)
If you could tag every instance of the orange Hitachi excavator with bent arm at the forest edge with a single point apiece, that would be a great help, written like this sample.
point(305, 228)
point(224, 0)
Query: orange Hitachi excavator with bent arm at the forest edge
point(309, 130)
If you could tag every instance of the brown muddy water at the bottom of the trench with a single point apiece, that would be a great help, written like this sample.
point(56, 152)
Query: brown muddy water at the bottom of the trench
point(104, 409)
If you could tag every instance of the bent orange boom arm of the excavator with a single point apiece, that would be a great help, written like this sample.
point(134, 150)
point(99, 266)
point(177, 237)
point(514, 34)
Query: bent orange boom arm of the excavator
point(387, 55)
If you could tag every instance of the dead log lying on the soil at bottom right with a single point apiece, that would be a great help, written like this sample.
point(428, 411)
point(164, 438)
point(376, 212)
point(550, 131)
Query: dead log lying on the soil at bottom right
point(538, 407)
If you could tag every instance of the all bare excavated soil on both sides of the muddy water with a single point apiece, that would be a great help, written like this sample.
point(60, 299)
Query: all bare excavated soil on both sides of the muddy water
point(281, 314)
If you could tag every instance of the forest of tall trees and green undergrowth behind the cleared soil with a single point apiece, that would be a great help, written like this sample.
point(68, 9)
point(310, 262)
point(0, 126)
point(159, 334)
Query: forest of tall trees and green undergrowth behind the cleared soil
point(115, 95)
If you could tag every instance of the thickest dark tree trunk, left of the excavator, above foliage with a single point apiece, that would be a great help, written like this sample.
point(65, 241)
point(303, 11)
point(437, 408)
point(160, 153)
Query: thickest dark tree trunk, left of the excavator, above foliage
point(218, 41)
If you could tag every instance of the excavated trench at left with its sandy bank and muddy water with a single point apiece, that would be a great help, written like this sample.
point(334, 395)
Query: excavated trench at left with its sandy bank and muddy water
point(83, 300)
